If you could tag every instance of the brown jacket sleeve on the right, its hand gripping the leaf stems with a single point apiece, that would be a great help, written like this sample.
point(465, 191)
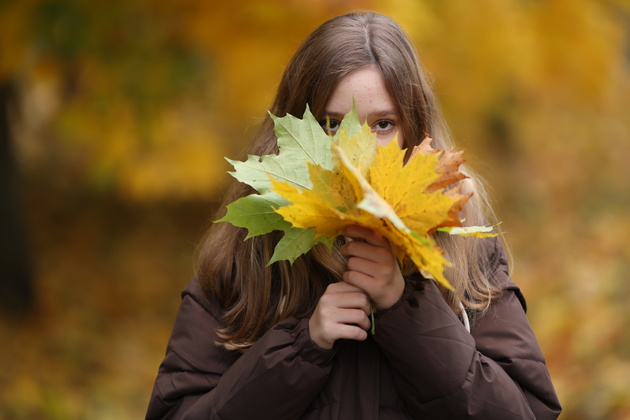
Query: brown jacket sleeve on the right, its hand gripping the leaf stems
point(442, 371)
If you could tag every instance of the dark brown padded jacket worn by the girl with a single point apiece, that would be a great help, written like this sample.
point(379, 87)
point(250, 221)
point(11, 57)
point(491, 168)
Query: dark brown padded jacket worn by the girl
point(421, 364)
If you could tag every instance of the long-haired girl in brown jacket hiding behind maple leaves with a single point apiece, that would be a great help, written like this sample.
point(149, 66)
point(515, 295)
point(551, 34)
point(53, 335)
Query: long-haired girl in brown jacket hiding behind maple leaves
point(291, 341)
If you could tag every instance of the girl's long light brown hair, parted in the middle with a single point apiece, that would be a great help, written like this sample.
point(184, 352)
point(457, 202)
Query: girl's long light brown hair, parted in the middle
point(234, 271)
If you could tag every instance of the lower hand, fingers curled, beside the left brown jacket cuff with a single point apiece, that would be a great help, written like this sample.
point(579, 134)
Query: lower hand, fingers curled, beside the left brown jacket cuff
point(342, 312)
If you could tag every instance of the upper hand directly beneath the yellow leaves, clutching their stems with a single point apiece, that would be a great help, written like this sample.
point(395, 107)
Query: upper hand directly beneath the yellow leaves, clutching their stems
point(372, 266)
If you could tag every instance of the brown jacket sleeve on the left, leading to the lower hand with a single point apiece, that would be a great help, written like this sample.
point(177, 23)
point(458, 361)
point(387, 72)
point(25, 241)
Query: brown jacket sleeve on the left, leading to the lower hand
point(199, 380)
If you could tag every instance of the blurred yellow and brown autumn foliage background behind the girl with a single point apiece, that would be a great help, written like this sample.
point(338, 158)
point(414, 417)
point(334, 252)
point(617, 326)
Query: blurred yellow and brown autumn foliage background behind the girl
point(115, 118)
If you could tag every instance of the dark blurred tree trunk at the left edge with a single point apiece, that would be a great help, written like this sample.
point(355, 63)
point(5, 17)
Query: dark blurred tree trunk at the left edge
point(16, 289)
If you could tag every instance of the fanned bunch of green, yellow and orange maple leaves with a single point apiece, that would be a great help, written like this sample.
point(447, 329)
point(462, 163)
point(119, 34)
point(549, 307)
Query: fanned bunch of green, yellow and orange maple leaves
point(317, 185)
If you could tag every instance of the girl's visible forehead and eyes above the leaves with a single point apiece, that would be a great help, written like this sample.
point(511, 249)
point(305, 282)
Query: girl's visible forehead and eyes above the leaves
point(374, 105)
